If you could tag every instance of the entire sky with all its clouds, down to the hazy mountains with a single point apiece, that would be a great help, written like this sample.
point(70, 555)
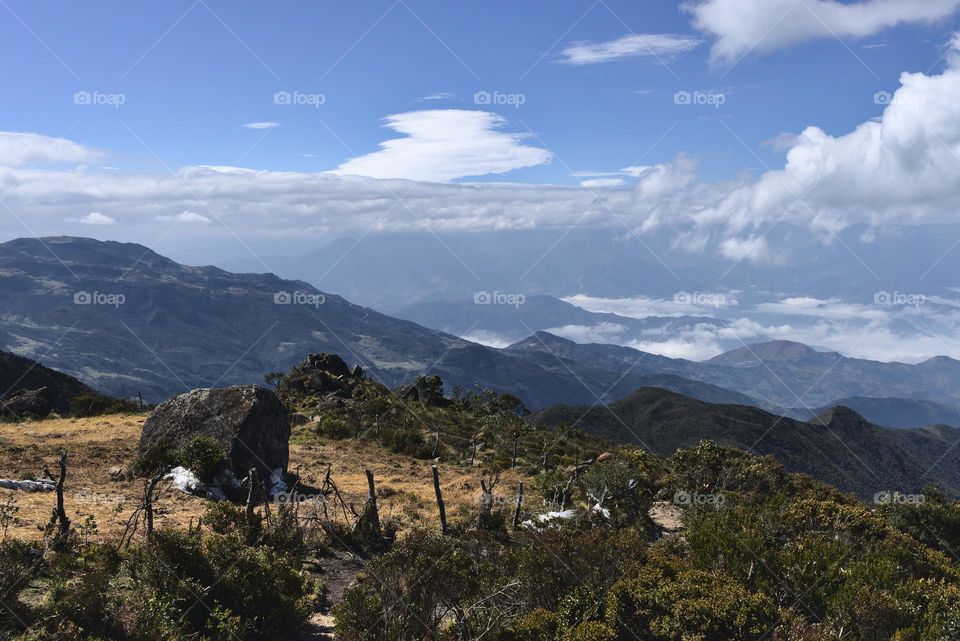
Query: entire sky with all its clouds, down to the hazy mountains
point(191, 126)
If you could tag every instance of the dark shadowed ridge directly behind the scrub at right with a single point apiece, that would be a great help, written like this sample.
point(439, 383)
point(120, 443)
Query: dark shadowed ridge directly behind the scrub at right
point(839, 447)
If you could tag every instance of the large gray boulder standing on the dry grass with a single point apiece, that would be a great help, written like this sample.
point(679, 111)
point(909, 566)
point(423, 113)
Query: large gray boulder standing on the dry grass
point(248, 422)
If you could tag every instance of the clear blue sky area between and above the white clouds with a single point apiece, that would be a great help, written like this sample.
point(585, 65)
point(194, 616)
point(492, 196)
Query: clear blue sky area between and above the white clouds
point(192, 74)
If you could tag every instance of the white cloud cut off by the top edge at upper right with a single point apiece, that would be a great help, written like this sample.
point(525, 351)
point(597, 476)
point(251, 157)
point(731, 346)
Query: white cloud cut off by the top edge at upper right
point(742, 26)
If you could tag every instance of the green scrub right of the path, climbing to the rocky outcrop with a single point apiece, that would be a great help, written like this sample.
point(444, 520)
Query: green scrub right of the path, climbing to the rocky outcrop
point(763, 554)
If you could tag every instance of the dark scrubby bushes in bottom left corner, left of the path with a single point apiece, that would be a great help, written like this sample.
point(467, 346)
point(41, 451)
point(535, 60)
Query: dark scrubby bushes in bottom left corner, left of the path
point(215, 582)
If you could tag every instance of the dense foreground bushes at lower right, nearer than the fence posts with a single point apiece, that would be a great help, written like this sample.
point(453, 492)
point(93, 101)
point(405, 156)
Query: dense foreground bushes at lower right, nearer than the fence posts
point(779, 557)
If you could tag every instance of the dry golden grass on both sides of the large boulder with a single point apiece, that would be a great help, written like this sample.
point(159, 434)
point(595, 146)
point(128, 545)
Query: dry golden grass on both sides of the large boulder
point(94, 445)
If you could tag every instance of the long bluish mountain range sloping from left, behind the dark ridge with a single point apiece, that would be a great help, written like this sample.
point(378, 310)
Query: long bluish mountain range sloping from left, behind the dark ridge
point(125, 319)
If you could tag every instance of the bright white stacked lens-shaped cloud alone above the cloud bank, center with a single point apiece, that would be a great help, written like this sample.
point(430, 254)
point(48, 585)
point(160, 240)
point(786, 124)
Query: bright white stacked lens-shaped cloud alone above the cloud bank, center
point(444, 144)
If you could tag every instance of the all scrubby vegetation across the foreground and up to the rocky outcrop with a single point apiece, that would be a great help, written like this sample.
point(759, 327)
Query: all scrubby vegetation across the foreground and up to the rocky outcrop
point(756, 553)
